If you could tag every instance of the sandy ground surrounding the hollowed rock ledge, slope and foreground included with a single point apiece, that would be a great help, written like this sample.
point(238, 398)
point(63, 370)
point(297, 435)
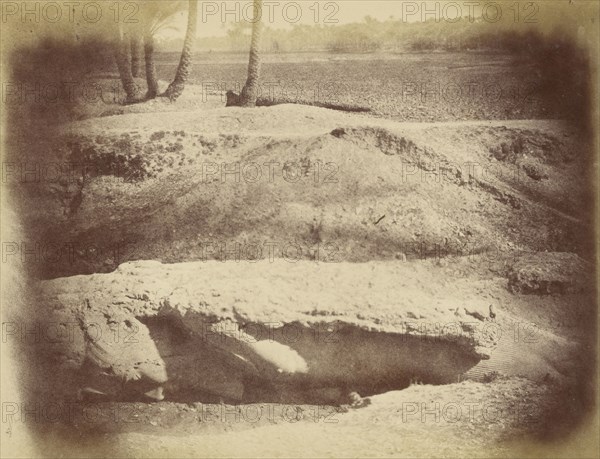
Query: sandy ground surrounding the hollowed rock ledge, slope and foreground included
point(397, 184)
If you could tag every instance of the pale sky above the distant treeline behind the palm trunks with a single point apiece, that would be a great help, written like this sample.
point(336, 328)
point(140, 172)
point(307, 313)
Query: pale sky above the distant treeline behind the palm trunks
point(215, 16)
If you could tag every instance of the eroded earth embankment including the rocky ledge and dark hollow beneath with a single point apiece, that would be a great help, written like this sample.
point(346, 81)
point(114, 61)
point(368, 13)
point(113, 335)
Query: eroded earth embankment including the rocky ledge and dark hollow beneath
point(294, 254)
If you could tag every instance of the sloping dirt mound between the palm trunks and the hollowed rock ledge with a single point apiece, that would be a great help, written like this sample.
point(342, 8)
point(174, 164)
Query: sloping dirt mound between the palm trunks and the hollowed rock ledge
point(299, 182)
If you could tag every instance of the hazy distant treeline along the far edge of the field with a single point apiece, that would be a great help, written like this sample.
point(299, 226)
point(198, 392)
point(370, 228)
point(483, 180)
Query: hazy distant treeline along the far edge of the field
point(371, 35)
